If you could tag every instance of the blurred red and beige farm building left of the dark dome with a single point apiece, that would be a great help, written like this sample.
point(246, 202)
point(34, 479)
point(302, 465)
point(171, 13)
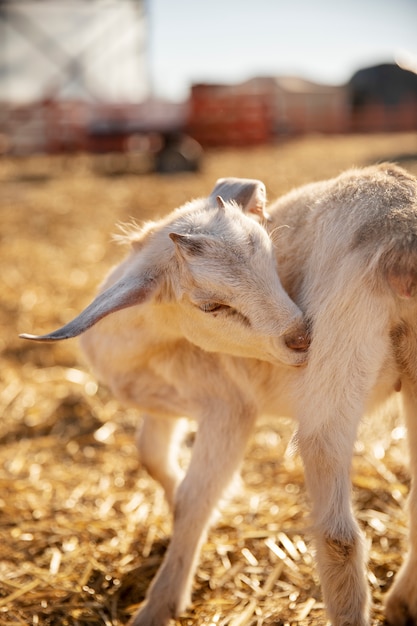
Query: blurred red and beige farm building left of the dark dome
point(261, 109)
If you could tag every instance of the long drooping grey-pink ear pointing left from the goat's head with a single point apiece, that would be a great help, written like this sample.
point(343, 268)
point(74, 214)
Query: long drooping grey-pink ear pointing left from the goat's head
point(128, 291)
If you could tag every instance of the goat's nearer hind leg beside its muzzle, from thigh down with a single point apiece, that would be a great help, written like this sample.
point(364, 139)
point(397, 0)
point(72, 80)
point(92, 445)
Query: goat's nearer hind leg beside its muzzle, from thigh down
point(336, 386)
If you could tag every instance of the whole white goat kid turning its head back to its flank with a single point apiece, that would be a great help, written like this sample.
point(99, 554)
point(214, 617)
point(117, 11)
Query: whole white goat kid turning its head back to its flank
point(214, 338)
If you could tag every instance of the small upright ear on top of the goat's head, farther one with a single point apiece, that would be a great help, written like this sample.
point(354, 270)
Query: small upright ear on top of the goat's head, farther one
point(248, 193)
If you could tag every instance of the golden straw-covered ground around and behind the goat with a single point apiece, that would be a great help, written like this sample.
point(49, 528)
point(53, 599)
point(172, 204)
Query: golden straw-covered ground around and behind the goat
point(82, 527)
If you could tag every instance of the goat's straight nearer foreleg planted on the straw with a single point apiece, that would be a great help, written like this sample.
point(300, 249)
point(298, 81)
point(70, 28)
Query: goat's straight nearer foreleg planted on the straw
point(217, 453)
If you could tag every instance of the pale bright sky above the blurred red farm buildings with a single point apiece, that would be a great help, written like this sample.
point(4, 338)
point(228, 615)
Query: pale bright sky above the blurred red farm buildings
point(232, 40)
